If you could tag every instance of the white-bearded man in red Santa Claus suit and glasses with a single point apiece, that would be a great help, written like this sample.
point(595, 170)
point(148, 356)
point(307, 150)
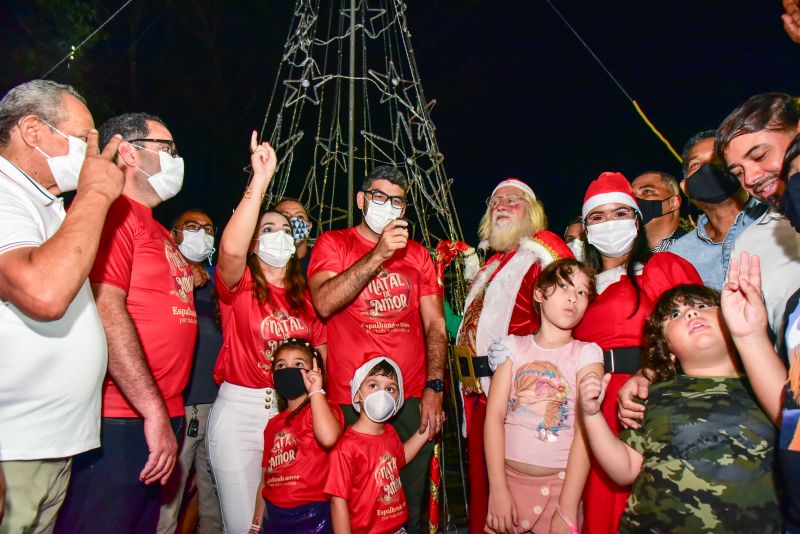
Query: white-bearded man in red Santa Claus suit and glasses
point(500, 302)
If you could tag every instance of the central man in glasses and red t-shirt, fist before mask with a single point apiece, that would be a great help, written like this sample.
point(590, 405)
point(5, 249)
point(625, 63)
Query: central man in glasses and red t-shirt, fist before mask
point(378, 293)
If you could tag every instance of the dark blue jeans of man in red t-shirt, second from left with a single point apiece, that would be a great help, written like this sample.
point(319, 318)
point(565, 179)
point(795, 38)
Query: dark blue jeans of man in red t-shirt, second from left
point(105, 494)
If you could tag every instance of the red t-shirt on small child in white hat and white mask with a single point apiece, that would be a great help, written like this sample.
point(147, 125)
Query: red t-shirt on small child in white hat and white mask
point(365, 471)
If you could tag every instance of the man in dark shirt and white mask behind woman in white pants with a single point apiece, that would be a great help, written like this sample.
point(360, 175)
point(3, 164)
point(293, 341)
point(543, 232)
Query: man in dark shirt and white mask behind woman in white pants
point(194, 233)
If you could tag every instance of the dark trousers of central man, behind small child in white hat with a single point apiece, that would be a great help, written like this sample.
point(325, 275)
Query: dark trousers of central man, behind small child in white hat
point(414, 475)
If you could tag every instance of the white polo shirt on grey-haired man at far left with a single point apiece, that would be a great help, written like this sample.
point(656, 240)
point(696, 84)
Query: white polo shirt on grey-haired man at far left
point(51, 372)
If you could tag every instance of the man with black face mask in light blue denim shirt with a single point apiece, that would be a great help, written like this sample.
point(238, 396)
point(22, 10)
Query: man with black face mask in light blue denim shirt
point(726, 211)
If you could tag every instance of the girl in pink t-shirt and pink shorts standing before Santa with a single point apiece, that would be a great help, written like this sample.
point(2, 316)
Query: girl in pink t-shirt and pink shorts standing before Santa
point(536, 453)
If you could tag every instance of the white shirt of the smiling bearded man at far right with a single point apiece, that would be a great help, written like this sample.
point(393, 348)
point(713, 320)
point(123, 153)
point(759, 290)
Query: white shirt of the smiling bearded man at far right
point(777, 245)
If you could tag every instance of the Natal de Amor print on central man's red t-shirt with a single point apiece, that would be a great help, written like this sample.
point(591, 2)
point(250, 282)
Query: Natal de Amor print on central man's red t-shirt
point(385, 297)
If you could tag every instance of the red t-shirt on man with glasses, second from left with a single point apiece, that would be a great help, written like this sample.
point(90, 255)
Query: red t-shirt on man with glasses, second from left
point(137, 255)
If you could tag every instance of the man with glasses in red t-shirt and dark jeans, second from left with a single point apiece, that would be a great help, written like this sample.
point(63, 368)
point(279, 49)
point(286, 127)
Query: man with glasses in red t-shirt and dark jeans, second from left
point(143, 287)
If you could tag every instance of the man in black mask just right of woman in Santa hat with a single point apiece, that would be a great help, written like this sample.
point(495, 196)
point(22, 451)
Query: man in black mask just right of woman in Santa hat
point(659, 200)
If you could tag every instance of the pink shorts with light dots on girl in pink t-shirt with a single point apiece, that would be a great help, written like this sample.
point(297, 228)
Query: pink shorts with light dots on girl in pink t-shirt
point(536, 499)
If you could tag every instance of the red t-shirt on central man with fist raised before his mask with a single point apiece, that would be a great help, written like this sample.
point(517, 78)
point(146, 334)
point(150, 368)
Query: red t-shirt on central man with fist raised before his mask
point(384, 318)
